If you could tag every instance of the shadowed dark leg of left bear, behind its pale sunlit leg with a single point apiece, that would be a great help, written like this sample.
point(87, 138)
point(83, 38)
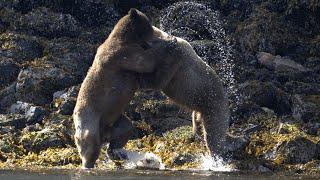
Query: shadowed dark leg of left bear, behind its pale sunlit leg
point(120, 134)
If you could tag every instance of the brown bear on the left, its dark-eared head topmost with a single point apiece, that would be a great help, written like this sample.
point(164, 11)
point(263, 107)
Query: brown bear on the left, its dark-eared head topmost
point(110, 85)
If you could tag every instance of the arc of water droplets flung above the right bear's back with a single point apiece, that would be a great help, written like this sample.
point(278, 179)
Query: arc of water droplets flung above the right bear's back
point(203, 27)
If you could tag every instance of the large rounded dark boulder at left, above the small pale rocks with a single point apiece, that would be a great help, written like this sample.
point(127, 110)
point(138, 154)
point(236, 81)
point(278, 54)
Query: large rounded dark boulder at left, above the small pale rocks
point(37, 84)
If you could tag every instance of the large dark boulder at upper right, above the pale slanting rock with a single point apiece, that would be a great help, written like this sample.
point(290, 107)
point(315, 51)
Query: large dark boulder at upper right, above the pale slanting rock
point(251, 35)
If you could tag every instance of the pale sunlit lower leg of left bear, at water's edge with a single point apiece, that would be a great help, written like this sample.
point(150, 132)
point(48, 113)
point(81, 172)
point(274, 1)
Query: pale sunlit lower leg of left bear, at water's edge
point(87, 138)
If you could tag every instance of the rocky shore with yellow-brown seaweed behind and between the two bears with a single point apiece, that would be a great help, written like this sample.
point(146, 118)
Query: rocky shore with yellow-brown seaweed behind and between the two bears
point(267, 52)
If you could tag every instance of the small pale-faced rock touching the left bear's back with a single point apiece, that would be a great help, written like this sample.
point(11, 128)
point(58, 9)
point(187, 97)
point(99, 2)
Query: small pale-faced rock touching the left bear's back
point(65, 100)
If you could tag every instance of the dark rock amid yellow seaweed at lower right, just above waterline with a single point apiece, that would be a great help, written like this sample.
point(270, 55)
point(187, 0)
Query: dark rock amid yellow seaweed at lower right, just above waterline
point(298, 150)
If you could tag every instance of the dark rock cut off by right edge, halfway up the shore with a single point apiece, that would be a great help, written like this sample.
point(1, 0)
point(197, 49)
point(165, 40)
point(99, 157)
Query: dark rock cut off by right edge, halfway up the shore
point(306, 108)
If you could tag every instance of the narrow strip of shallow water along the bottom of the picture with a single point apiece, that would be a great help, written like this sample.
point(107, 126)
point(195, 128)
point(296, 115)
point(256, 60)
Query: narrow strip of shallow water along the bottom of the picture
point(136, 174)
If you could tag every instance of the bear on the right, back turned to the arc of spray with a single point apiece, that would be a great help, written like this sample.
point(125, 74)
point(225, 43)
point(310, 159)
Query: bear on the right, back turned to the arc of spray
point(186, 79)
